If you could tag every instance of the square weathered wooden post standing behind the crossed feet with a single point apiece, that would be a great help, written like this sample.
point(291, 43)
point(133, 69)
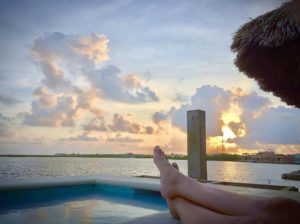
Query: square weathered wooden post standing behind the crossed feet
point(196, 143)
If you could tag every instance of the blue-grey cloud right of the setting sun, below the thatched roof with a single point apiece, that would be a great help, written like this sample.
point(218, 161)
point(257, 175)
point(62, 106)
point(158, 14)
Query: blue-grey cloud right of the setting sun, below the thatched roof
point(276, 125)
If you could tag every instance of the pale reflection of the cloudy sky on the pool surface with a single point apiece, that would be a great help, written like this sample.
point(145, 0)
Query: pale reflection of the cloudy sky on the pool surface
point(87, 211)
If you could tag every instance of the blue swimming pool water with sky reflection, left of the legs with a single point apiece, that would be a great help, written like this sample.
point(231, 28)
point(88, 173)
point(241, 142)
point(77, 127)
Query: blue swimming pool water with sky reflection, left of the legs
point(93, 203)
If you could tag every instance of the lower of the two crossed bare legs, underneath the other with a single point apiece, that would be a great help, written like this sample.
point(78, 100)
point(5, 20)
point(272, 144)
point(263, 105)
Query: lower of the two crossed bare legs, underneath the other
point(190, 213)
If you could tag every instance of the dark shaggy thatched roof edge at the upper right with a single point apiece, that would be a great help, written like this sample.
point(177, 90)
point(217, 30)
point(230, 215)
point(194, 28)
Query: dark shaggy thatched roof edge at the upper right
point(268, 50)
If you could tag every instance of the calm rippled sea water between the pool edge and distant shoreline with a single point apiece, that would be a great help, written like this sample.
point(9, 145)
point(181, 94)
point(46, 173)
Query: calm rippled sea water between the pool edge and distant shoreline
point(33, 167)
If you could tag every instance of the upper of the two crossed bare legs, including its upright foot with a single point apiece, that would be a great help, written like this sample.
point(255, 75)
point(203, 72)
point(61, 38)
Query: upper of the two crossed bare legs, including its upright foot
point(174, 184)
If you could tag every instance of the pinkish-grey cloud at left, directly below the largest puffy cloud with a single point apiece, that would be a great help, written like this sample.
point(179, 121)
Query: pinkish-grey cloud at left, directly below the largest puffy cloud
point(61, 110)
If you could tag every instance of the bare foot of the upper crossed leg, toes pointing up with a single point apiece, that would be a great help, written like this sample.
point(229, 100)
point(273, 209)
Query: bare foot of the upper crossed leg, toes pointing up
point(168, 174)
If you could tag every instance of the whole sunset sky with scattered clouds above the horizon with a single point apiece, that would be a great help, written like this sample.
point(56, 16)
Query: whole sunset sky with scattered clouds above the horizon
point(119, 76)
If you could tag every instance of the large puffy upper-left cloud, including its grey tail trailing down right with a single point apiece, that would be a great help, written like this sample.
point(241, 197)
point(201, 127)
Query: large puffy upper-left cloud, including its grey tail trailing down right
point(67, 58)
